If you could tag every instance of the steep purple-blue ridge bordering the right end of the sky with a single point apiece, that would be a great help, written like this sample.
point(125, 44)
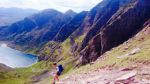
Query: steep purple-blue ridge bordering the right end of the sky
point(91, 18)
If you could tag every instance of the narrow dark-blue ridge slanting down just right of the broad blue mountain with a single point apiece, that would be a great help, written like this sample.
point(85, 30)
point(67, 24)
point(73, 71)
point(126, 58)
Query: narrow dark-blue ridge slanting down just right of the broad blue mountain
point(70, 27)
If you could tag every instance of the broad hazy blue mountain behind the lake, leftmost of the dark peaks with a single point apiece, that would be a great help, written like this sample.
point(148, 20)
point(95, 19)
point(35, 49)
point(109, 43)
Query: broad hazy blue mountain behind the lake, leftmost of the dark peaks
point(36, 29)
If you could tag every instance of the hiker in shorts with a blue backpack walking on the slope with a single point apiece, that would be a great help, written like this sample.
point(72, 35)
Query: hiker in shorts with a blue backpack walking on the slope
point(59, 70)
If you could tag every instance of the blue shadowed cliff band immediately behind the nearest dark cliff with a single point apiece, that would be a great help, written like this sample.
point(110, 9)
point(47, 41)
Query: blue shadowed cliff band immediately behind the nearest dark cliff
point(105, 10)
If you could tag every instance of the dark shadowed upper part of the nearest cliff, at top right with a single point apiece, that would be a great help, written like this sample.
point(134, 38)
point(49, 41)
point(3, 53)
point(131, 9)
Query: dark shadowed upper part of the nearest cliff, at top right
point(123, 26)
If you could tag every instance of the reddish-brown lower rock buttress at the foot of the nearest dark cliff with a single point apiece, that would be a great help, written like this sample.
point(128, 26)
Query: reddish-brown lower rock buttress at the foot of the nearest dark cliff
point(92, 51)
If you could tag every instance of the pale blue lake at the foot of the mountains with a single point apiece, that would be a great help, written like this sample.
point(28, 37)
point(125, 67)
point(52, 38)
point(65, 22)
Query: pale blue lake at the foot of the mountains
point(15, 58)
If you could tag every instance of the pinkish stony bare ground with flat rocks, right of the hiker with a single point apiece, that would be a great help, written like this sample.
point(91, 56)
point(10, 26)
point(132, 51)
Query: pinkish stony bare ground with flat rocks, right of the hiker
point(138, 75)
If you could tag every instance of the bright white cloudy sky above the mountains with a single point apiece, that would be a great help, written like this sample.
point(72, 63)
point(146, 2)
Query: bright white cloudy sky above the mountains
point(61, 5)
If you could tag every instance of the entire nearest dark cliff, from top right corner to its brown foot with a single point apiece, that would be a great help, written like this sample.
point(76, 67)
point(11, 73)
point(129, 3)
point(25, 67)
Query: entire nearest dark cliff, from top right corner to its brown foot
point(125, 23)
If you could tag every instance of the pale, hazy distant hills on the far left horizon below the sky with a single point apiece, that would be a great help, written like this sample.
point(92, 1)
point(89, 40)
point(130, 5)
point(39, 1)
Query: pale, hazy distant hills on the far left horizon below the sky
point(11, 15)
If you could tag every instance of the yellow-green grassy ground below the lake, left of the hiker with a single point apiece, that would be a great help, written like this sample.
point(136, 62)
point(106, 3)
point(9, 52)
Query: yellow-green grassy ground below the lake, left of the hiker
point(24, 75)
